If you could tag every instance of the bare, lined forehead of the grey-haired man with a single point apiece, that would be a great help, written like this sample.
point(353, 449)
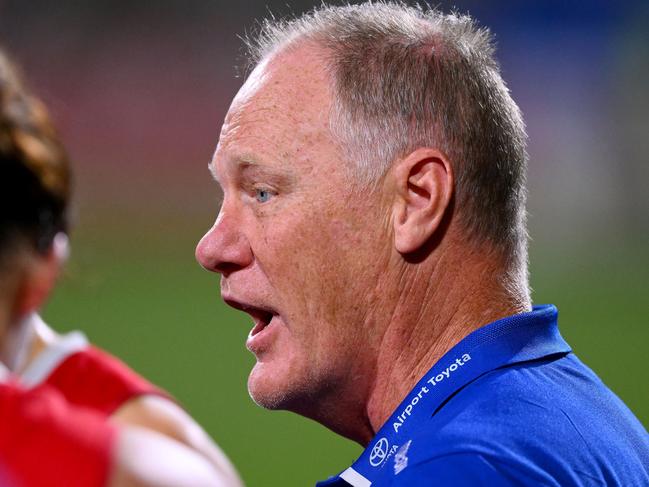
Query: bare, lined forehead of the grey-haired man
point(285, 102)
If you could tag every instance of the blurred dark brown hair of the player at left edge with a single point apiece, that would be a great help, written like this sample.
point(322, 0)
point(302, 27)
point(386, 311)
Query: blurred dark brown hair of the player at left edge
point(34, 169)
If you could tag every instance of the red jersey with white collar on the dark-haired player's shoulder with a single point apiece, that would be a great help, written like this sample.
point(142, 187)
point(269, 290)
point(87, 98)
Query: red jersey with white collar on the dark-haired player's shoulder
point(87, 376)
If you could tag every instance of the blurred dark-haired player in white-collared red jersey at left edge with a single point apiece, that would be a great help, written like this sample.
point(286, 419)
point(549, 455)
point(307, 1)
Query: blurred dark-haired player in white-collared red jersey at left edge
point(34, 196)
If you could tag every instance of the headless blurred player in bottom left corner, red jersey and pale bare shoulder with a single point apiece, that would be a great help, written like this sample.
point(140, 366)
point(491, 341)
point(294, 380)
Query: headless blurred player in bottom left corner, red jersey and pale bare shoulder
point(45, 441)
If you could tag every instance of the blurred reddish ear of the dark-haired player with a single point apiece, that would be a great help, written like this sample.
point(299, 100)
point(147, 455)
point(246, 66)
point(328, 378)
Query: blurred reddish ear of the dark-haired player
point(39, 278)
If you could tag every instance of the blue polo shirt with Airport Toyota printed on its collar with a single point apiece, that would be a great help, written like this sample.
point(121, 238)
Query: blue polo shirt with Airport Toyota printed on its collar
point(508, 405)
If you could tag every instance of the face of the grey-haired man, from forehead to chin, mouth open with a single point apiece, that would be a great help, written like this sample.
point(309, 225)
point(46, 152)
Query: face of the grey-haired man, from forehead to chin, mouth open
point(296, 249)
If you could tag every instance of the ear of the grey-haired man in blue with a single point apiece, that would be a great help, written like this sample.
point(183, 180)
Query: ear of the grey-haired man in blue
point(424, 187)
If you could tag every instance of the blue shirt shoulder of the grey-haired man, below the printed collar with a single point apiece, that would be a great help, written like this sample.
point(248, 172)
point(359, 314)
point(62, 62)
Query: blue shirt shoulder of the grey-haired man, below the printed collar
point(532, 422)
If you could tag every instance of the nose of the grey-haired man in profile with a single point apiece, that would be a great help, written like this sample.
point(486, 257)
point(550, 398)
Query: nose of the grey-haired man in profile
point(224, 248)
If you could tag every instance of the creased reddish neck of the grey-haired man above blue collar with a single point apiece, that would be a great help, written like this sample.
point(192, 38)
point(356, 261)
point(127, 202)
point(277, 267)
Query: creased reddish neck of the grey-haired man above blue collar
point(429, 319)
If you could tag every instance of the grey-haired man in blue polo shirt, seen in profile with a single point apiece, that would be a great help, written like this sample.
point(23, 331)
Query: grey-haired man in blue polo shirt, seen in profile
point(373, 226)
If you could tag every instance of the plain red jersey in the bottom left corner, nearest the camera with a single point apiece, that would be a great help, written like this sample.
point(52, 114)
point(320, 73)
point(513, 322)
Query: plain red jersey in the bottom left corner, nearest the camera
point(44, 441)
